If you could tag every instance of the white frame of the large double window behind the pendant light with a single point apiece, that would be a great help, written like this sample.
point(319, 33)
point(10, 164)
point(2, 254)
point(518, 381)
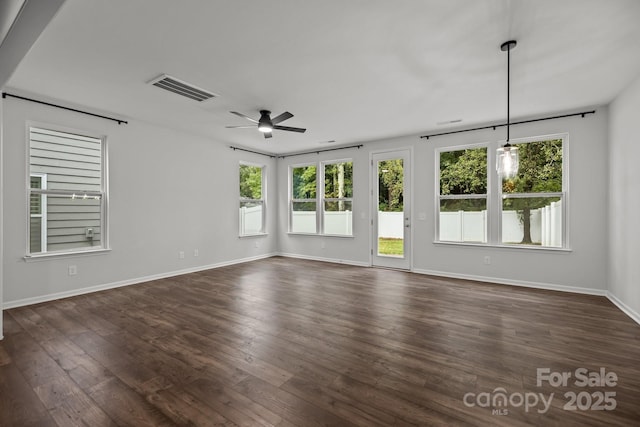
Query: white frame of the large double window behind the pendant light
point(495, 195)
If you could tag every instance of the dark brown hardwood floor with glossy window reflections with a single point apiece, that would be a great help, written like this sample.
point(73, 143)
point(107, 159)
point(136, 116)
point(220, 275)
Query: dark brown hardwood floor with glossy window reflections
point(284, 342)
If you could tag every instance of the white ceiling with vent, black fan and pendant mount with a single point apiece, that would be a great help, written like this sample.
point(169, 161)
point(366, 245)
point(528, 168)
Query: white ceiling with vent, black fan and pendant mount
point(349, 71)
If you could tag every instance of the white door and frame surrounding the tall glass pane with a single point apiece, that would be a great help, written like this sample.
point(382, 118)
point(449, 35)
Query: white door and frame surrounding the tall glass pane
point(405, 262)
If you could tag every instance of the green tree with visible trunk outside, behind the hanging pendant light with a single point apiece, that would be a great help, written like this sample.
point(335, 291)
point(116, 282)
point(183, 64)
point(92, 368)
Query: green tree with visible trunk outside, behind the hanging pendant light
point(539, 171)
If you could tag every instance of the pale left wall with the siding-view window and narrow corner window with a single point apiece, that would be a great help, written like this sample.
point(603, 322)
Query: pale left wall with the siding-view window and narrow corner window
point(168, 193)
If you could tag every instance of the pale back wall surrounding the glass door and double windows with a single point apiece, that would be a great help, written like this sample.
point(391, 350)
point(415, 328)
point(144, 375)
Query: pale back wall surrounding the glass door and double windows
point(583, 268)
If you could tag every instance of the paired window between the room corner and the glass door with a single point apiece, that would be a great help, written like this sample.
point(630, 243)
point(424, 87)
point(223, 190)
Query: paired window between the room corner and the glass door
point(321, 198)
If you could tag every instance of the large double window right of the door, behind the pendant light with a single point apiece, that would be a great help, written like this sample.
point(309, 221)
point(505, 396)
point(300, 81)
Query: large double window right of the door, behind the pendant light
point(529, 208)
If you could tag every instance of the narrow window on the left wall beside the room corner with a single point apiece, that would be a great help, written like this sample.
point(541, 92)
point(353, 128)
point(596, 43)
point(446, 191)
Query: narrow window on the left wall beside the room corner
point(252, 199)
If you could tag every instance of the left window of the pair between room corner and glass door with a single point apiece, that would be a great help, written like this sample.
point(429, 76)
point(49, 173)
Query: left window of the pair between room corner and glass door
point(303, 199)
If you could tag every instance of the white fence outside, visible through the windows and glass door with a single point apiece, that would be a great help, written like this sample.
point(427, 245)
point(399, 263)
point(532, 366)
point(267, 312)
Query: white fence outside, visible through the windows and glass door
point(460, 226)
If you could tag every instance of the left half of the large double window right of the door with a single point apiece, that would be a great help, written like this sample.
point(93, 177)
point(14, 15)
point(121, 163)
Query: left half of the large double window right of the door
point(463, 195)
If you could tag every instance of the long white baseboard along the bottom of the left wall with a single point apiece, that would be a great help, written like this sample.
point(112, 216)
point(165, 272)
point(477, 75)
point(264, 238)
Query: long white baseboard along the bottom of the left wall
point(82, 291)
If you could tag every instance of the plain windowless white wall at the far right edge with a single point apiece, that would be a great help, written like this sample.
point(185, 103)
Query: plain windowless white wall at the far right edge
point(624, 199)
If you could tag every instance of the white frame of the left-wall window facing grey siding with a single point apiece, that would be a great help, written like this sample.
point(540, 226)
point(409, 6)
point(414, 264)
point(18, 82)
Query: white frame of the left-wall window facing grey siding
point(102, 194)
